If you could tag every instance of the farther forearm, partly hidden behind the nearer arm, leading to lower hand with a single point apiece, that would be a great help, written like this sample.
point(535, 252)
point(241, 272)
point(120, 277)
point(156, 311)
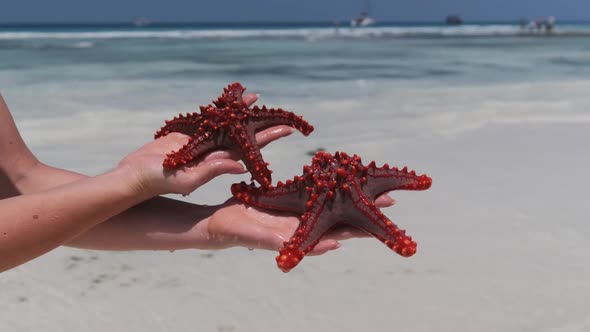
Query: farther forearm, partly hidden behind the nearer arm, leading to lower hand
point(159, 223)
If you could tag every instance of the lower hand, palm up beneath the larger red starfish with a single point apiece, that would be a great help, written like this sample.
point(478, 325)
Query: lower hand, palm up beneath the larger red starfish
point(237, 225)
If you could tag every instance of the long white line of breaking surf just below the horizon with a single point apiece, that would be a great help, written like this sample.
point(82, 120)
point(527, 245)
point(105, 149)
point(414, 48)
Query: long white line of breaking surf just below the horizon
point(310, 34)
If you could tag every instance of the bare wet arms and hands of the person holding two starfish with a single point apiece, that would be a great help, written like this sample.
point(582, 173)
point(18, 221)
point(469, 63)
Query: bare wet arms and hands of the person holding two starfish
point(43, 207)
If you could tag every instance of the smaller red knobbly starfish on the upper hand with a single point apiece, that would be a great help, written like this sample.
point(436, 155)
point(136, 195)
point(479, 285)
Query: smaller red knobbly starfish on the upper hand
point(229, 124)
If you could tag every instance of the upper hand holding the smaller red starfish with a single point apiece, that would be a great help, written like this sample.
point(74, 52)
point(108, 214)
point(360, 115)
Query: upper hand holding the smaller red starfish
point(151, 179)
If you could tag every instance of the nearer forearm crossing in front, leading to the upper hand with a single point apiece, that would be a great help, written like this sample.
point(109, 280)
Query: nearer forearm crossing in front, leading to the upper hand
point(31, 225)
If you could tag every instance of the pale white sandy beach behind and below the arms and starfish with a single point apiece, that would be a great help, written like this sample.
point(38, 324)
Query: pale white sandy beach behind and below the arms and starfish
point(502, 234)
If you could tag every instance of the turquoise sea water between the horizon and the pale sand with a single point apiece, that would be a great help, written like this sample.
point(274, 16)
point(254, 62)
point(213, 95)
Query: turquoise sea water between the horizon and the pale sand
point(275, 57)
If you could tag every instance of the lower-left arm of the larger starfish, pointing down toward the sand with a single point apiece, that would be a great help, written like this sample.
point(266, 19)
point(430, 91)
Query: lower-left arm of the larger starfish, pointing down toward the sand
point(308, 233)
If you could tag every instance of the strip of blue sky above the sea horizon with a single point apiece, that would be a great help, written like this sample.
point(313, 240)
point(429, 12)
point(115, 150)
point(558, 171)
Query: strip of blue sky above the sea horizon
point(283, 10)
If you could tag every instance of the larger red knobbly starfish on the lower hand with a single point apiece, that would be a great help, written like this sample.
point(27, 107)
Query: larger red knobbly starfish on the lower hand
point(335, 189)
